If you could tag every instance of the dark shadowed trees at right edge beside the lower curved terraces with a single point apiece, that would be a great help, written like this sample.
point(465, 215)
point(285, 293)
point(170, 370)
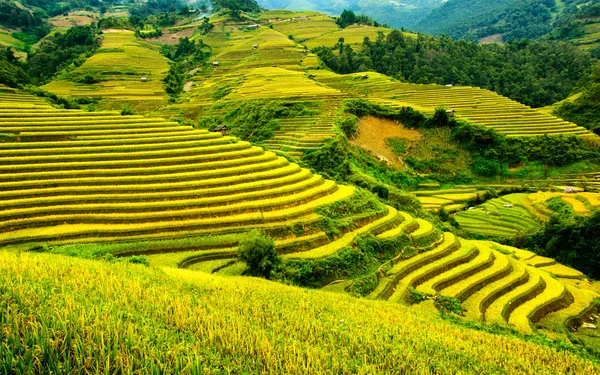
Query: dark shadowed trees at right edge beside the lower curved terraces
point(570, 239)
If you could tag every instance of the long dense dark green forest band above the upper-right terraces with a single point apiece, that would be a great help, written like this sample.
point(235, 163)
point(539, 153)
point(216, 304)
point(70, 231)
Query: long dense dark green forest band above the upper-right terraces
point(534, 73)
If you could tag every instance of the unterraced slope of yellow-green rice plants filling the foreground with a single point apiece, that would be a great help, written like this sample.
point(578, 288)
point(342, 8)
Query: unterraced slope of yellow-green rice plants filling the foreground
point(108, 317)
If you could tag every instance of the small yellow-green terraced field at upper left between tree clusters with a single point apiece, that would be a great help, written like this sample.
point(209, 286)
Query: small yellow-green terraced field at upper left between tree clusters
point(120, 64)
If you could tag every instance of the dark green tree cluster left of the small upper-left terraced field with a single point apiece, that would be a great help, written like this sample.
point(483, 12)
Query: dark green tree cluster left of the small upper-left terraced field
point(61, 50)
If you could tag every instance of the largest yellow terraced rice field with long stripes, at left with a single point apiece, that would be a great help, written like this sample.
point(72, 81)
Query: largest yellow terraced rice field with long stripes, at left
point(75, 177)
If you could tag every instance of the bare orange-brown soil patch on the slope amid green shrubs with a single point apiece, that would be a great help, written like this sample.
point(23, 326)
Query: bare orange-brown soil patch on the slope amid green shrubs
point(372, 135)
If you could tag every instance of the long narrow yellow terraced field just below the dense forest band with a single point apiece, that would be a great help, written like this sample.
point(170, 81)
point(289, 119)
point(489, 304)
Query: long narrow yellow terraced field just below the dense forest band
point(476, 105)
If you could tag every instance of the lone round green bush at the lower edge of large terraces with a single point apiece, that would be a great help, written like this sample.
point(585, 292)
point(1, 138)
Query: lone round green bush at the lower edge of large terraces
point(258, 251)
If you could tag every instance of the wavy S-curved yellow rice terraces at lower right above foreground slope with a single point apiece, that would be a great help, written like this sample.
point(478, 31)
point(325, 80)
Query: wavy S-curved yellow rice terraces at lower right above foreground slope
point(495, 284)
